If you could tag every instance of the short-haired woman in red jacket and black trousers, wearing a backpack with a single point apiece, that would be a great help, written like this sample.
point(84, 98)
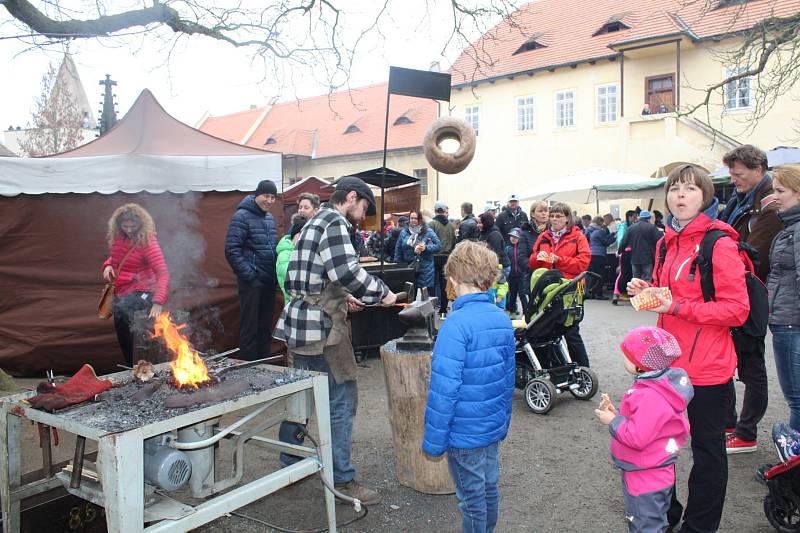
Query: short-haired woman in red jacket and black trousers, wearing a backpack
point(703, 333)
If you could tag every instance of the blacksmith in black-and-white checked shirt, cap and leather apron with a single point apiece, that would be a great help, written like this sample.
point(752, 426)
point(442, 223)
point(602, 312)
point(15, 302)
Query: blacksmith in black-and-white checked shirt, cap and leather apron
point(324, 282)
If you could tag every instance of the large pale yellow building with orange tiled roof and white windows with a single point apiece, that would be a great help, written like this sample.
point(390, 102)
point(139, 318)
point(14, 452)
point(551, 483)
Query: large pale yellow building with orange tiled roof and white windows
point(565, 86)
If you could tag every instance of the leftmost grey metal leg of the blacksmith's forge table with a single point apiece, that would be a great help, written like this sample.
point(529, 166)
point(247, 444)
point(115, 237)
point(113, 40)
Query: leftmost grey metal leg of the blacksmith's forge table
point(10, 470)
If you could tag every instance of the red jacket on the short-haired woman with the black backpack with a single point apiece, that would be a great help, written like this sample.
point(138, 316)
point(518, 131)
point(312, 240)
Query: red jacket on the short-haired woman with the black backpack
point(703, 328)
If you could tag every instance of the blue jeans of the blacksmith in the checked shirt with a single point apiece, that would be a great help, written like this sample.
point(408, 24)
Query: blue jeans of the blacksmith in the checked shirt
point(343, 400)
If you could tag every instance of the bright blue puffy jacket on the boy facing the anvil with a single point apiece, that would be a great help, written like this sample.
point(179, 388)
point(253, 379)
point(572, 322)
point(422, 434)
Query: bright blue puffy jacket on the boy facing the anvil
point(472, 378)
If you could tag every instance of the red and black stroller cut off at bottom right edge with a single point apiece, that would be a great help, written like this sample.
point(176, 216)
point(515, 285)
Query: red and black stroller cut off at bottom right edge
point(782, 504)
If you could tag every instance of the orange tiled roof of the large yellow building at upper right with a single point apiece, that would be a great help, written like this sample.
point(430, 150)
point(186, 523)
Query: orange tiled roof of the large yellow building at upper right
point(567, 27)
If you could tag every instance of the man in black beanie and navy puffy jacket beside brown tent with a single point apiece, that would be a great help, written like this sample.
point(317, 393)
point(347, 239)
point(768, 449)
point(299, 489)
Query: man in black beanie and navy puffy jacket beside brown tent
point(250, 251)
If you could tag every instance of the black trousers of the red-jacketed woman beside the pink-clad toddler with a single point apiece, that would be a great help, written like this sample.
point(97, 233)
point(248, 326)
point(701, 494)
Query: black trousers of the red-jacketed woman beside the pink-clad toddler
point(709, 476)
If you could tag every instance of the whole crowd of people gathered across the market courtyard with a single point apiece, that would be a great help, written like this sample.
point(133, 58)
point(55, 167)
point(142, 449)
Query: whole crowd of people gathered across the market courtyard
point(705, 333)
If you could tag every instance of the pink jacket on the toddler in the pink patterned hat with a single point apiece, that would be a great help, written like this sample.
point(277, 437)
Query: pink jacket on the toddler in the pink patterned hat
point(650, 429)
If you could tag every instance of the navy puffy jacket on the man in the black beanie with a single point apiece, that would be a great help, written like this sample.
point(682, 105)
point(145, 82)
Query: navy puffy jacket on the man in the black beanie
point(250, 243)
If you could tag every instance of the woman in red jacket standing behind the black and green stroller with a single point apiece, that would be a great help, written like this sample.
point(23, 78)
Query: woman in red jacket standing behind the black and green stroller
point(563, 246)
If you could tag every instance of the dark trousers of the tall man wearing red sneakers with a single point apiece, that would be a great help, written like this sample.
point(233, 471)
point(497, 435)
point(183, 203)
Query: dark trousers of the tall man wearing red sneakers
point(753, 373)
